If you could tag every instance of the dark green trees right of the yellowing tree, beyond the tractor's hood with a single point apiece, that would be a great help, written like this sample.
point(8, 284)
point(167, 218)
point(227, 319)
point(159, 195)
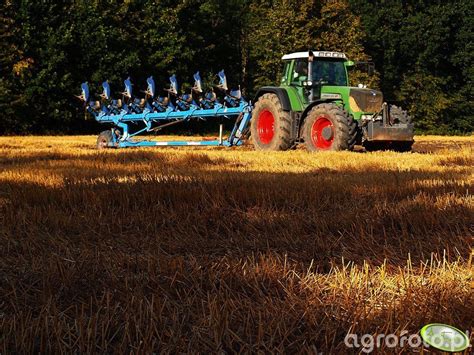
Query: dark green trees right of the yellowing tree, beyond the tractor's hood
point(425, 51)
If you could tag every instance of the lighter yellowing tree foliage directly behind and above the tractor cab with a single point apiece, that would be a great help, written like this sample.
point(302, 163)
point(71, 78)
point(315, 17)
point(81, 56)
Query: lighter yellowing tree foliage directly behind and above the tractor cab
point(281, 27)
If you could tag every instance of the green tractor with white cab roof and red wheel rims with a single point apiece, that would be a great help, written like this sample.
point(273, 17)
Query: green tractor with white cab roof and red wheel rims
point(315, 105)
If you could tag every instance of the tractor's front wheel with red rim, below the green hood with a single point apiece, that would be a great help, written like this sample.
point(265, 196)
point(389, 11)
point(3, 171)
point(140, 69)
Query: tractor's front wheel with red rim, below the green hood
point(329, 127)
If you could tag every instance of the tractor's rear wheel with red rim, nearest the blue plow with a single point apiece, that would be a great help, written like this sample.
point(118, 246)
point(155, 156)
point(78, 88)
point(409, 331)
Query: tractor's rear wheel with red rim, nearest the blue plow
point(270, 126)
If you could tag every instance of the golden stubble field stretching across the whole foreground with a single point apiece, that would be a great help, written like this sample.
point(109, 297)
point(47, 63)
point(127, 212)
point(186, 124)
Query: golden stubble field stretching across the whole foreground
point(229, 250)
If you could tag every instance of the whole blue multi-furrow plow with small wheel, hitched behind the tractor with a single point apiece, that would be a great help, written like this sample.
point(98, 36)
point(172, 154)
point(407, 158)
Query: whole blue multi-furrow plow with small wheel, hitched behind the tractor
point(152, 113)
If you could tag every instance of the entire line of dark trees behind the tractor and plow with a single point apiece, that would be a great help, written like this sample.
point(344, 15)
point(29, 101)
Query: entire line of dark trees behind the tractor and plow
point(423, 51)
